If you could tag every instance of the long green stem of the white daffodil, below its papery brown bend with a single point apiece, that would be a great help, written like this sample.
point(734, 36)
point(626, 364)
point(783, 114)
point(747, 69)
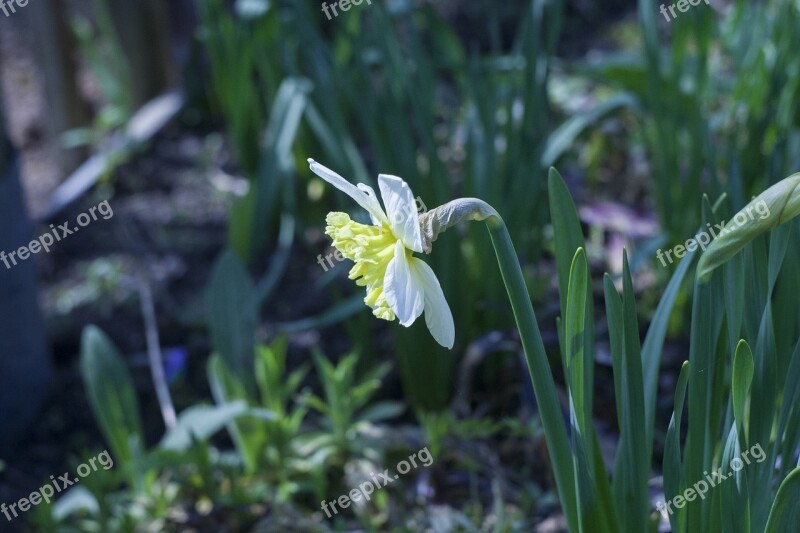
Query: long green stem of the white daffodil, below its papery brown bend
point(542, 378)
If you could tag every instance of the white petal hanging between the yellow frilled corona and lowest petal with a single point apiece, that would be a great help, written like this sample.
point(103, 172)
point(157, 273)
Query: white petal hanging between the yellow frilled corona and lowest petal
point(404, 295)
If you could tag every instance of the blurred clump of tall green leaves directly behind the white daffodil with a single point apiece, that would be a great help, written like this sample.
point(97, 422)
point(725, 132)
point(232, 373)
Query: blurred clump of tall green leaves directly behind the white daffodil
point(392, 88)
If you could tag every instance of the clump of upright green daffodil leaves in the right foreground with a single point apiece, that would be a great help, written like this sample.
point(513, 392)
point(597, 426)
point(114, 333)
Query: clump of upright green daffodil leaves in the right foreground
point(719, 391)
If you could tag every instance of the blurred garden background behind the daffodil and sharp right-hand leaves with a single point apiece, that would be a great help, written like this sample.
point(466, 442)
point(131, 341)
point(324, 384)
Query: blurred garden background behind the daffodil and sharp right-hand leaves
point(235, 378)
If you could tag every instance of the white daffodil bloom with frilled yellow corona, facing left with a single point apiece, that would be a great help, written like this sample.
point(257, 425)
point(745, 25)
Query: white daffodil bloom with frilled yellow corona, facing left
point(398, 284)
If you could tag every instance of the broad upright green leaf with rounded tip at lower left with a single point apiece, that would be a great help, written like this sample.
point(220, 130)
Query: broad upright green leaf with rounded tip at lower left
point(111, 393)
